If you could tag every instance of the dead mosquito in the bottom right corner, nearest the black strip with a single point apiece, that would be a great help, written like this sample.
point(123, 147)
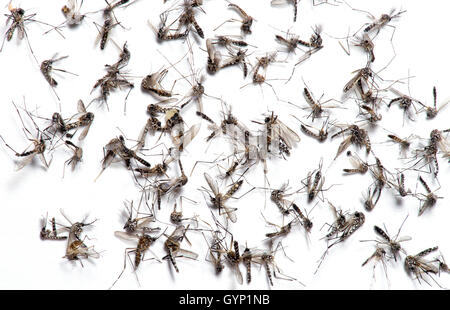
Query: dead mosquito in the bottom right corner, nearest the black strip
point(417, 265)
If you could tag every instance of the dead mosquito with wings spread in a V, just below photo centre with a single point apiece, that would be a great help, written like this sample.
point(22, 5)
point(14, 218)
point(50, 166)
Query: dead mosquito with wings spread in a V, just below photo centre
point(219, 199)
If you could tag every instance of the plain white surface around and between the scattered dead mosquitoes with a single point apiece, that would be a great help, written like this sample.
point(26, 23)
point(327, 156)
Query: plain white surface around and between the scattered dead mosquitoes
point(27, 195)
